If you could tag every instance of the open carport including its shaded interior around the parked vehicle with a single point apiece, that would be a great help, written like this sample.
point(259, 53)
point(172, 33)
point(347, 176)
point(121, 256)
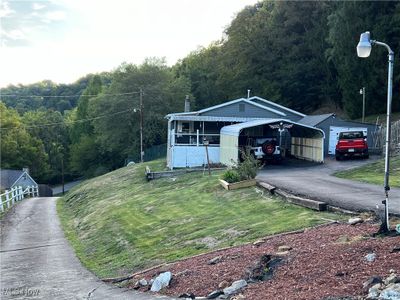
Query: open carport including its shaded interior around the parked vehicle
point(293, 139)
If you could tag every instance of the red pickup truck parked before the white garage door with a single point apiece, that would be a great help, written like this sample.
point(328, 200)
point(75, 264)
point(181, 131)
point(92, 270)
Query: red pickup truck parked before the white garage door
point(351, 143)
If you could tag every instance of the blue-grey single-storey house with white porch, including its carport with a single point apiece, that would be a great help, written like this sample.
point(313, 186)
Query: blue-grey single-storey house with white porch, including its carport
point(227, 128)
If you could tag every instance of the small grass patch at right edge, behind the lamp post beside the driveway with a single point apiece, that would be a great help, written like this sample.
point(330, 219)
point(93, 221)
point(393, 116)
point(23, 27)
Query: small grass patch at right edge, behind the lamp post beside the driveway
point(374, 173)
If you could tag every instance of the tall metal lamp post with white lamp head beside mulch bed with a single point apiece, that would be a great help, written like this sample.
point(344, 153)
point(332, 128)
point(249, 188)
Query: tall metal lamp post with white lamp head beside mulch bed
point(364, 50)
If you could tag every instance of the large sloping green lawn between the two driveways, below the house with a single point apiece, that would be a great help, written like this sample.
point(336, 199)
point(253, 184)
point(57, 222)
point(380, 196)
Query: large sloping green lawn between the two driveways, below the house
point(119, 223)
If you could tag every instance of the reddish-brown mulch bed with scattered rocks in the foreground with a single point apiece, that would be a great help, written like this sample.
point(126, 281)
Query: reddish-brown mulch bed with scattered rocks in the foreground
point(324, 261)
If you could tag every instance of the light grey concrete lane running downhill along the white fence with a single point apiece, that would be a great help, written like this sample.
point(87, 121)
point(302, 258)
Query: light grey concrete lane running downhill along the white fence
point(38, 263)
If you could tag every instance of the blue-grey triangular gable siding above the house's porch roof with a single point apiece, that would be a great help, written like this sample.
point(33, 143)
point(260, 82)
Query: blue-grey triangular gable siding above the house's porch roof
point(250, 111)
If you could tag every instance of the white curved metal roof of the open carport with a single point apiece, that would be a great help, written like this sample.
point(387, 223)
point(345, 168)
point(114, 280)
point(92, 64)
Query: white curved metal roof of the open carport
point(234, 130)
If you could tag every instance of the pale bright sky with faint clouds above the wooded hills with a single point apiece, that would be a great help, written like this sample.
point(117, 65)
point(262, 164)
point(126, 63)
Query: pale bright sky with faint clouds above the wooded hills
point(63, 40)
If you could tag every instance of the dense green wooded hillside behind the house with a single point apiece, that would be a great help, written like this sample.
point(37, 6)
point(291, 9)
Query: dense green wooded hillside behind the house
point(298, 54)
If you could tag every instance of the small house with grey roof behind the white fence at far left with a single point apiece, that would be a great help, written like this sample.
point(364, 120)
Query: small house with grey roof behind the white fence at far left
point(13, 178)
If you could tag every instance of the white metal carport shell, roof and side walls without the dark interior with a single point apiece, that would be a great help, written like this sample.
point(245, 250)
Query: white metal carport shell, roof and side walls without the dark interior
point(306, 142)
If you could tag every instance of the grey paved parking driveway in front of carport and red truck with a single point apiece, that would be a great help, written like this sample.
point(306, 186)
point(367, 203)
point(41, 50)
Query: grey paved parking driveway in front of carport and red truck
point(315, 181)
